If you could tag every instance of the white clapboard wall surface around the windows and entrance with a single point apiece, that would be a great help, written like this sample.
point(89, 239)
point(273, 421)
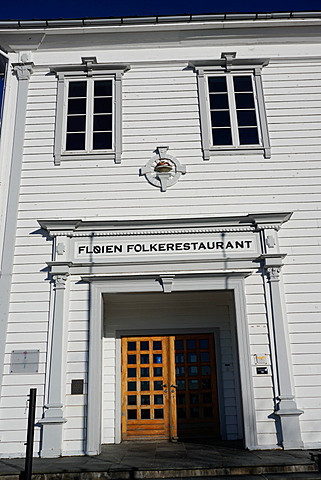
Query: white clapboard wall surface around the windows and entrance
point(160, 106)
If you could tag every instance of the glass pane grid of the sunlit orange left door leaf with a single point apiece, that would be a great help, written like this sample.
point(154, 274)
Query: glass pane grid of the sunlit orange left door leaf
point(145, 397)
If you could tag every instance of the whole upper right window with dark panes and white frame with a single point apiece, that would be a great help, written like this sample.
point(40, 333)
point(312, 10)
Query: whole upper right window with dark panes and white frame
point(233, 118)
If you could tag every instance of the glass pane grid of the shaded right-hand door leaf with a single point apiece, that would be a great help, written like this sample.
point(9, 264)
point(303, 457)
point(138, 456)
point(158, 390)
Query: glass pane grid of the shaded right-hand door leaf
point(194, 377)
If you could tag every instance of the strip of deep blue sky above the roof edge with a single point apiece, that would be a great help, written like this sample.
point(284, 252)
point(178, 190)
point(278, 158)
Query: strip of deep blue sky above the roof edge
point(45, 9)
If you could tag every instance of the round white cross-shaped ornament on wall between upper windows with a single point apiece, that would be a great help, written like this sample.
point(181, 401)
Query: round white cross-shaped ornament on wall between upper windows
point(163, 170)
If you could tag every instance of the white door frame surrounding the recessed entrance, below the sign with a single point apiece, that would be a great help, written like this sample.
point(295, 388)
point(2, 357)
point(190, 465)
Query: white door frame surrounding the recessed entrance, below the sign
point(151, 283)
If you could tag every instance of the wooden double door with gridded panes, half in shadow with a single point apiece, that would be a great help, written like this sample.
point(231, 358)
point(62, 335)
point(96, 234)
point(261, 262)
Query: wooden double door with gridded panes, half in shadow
point(169, 387)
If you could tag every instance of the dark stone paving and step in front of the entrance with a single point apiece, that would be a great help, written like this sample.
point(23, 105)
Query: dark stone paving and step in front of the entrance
point(172, 461)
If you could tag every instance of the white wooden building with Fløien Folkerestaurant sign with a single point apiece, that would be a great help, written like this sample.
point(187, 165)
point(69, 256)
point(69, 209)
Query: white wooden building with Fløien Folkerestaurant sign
point(160, 231)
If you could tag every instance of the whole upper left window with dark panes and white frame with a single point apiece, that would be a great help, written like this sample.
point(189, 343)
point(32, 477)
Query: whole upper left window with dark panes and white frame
point(88, 120)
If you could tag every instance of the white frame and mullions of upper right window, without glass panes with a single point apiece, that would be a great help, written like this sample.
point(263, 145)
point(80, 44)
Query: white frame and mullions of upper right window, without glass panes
point(229, 66)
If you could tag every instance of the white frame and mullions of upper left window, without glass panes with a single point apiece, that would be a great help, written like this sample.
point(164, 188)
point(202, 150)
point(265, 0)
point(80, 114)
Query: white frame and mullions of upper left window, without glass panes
point(89, 70)
